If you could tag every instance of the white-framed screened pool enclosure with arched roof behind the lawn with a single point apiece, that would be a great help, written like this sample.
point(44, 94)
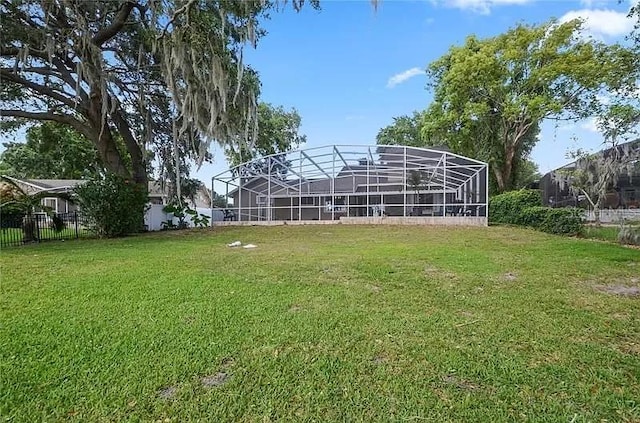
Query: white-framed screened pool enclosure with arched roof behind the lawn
point(355, 182)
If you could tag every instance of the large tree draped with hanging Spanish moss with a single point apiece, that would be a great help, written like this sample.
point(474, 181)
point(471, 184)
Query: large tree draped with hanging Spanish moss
point(148, 72)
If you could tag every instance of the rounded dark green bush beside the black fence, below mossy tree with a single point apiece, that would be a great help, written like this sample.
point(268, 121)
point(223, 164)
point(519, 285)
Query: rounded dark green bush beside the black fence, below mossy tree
point(112, 206)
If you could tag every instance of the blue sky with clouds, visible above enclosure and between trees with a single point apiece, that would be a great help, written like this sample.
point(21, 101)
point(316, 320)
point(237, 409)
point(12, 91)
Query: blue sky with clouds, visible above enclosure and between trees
point(349, 69)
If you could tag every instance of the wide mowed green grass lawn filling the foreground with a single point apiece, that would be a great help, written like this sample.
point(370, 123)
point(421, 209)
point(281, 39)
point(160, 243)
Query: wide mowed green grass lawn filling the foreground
point(321, 323)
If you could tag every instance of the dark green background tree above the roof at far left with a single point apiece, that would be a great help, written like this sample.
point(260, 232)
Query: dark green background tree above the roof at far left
point(51, 150)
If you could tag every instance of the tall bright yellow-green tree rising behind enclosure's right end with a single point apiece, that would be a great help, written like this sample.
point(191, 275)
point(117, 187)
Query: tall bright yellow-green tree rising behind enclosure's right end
point(491, 95)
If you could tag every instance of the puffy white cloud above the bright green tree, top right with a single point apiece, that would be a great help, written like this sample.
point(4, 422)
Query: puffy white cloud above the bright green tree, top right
point(601, 23)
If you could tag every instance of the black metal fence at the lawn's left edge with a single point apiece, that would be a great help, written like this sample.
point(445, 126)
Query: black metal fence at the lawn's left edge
point(18, 229)
